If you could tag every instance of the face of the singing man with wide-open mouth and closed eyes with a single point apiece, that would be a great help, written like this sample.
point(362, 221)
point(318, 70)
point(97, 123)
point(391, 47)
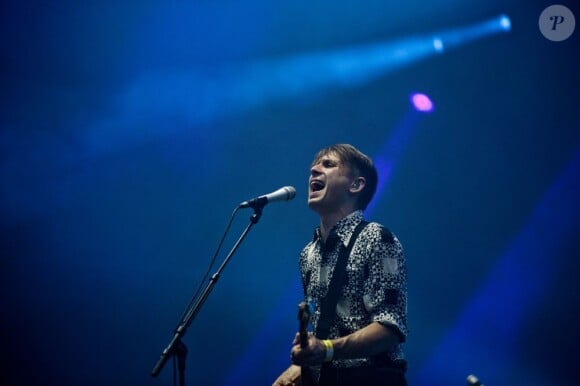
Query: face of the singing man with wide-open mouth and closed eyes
point(329, 184)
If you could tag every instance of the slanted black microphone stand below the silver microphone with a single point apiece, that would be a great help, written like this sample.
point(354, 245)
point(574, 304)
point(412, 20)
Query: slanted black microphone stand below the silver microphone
point(176, 346)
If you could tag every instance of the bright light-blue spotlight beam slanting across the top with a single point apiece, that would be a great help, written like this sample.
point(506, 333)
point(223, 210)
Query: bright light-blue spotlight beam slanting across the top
point(157, 104)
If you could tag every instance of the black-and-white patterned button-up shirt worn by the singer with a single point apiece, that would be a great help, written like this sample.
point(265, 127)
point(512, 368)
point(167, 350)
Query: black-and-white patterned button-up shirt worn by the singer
point(375, 282)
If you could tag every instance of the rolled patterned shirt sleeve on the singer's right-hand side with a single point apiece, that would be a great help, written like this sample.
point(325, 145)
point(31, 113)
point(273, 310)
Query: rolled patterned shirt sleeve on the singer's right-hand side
point(385, 280)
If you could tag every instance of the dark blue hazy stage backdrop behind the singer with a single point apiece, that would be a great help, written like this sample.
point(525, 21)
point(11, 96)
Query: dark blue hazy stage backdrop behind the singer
point(120, 166)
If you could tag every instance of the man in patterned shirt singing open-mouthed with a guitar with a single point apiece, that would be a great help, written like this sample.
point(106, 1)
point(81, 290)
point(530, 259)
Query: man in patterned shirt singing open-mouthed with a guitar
point(354, 278)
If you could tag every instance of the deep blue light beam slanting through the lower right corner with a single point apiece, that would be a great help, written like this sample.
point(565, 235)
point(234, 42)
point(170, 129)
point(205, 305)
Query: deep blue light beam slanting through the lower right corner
point(513, 288)
